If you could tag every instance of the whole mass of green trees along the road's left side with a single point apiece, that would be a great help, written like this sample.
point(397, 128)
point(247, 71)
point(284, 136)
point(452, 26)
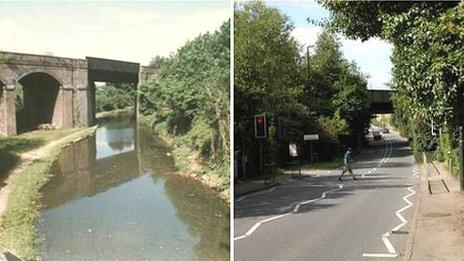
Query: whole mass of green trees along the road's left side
point(301, 93)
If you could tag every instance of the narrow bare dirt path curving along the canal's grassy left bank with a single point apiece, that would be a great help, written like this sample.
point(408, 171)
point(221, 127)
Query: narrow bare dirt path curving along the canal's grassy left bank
point(28, 157)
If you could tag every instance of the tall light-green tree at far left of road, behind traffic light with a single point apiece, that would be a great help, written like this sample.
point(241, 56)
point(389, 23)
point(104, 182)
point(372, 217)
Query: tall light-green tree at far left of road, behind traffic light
point(266, 73)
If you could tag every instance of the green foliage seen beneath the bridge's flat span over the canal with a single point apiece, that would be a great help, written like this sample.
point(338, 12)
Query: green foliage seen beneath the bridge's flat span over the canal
point(114, 96)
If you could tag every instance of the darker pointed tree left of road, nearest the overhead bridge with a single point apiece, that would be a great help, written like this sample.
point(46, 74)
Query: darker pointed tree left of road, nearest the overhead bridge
point(337, 93)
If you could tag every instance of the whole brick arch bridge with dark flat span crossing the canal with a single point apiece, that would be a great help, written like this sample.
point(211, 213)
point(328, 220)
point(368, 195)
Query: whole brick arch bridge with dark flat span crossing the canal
point(59, 90)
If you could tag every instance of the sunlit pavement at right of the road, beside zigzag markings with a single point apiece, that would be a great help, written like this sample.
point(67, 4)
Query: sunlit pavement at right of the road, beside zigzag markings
point(438, 232)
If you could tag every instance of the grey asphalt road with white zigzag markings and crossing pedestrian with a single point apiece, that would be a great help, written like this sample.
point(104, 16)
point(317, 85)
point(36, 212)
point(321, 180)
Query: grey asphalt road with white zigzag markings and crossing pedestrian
point(320, 218)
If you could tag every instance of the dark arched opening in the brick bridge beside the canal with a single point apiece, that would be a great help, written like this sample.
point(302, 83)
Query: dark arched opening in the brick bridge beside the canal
point(37, 100)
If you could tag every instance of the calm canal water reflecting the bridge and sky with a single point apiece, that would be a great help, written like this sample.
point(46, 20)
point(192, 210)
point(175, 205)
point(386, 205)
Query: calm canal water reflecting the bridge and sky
point(114, 197)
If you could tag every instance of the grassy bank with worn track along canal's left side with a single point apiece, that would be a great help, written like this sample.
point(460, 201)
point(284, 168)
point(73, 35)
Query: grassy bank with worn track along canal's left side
point(17, 224)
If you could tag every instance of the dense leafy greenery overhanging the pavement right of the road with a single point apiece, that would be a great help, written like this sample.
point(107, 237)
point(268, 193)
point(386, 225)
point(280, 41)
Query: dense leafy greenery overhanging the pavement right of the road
point(428, 66)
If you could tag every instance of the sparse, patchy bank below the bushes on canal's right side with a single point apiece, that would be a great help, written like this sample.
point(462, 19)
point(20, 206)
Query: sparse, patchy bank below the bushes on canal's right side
point(190, 163)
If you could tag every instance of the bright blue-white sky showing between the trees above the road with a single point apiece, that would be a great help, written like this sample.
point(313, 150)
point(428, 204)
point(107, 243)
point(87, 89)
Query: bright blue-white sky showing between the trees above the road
point(372, 56)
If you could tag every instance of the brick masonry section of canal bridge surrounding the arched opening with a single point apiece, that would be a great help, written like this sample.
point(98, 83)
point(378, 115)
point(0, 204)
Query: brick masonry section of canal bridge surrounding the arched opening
point(72, 103)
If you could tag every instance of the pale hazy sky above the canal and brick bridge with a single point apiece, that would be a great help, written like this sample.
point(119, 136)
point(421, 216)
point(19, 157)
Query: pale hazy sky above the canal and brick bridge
point(128, 31)
